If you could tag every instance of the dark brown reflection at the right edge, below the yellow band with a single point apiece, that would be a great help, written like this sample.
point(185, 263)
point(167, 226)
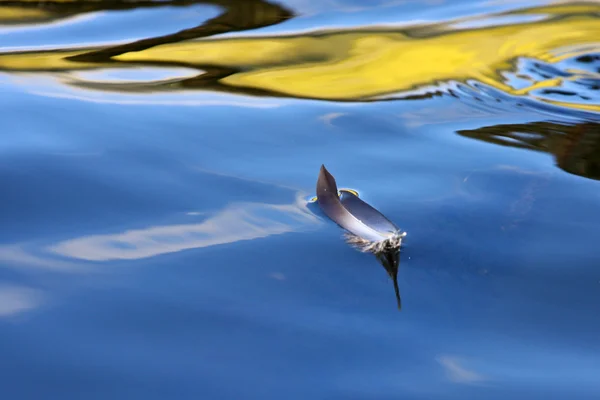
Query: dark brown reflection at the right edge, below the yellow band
point(576, 147)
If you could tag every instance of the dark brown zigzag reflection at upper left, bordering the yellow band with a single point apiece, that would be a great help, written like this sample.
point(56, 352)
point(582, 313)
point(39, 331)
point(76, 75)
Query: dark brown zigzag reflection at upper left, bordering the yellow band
point(237, 15)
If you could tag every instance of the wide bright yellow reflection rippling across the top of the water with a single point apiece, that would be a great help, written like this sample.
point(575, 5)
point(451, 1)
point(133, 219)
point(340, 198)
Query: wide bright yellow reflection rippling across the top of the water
point(350, 65)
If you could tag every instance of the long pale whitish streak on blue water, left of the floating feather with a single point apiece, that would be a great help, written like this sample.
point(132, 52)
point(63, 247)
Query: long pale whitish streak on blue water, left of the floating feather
point(243, 221)
